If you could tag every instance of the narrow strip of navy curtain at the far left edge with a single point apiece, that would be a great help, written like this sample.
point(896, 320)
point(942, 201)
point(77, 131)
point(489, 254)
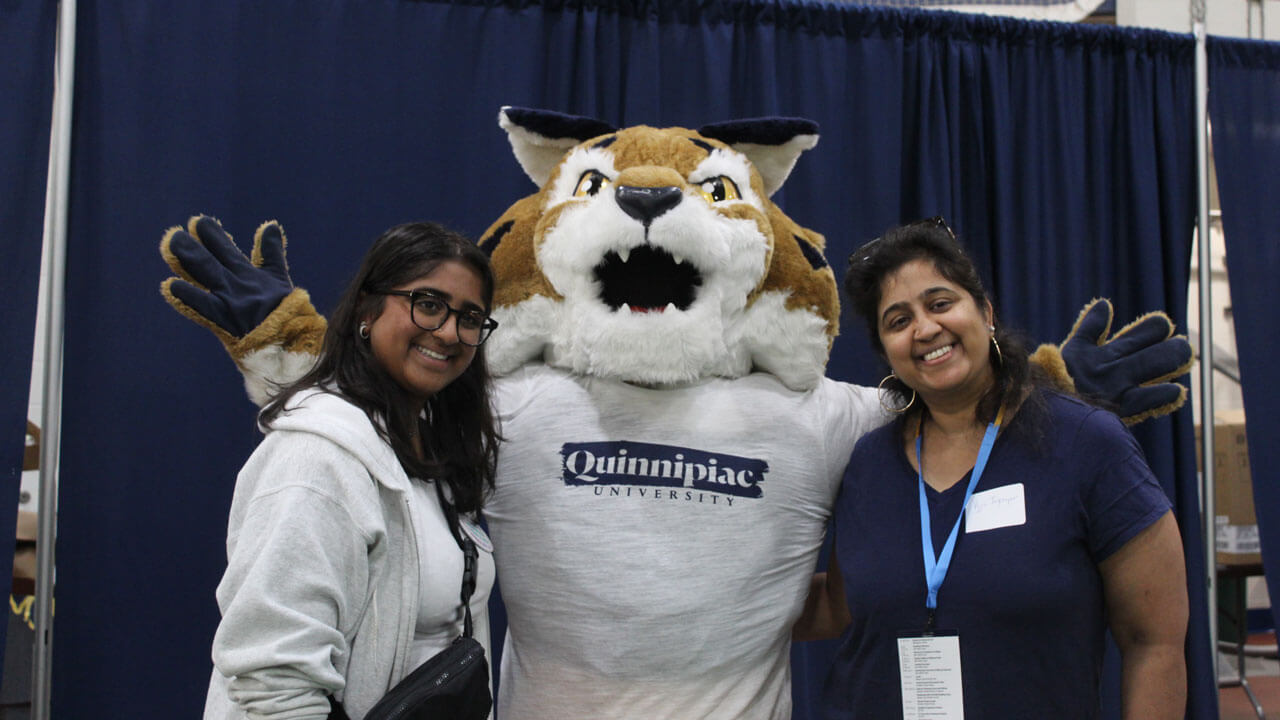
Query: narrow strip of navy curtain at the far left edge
point(28, 33)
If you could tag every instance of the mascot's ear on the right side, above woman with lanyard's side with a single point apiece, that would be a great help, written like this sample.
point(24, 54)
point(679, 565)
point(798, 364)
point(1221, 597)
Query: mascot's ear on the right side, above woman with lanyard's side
point(771, 144)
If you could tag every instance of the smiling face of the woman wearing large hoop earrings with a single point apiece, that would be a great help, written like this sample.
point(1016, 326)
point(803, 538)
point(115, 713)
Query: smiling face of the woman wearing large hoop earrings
point(936, 338)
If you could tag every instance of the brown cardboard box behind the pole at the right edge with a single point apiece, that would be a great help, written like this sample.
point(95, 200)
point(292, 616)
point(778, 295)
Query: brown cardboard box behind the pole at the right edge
point(1237, 527)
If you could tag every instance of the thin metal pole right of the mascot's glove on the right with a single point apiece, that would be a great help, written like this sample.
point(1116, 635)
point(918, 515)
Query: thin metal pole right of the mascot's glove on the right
point(1206, 321)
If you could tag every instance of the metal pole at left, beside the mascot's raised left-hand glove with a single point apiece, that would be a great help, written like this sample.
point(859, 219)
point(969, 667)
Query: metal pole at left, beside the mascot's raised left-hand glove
point(54, 281)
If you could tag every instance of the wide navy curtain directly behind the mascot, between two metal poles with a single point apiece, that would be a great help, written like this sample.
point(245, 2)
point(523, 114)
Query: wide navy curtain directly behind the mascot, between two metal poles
point(1063, 154)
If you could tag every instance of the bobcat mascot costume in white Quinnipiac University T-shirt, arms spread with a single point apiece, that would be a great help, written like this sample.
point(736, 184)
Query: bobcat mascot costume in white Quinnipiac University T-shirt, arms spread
point(673, 446)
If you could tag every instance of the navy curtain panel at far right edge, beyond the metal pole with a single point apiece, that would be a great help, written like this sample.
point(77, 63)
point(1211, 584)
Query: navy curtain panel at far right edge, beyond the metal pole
point(1245, 110)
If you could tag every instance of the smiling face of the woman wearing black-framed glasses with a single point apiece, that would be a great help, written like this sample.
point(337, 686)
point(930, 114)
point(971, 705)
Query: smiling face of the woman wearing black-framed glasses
point(424, 362)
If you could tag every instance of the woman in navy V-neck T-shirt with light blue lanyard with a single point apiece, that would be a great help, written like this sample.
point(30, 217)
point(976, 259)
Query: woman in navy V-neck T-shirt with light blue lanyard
point(989, 539)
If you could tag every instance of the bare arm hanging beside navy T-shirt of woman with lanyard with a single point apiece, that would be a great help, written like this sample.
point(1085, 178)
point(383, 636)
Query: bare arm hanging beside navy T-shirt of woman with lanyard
point(1145, 584)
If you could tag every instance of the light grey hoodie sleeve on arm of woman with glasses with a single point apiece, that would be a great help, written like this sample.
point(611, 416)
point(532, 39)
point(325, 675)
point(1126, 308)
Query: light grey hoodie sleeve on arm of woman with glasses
point(296, 580)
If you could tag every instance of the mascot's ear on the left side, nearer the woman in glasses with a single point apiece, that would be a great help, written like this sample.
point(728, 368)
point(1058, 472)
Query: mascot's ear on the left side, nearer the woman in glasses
point(541, 138)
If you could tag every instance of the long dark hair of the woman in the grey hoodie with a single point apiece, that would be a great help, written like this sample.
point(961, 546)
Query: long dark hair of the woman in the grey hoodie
point(458, 430)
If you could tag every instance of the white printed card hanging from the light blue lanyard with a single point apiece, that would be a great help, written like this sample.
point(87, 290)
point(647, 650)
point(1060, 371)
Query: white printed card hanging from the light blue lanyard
point(930, 668)
